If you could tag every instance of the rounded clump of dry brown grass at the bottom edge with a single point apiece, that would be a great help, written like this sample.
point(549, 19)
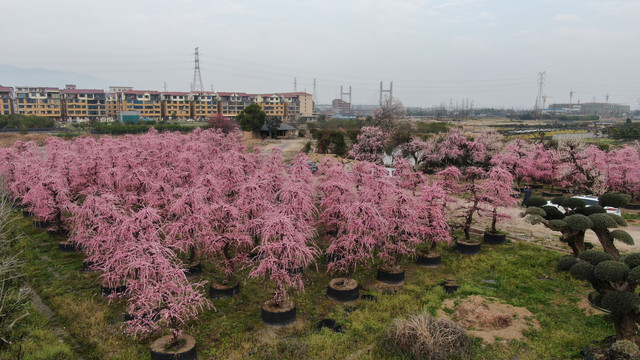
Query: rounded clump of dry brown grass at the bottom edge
point(424, 337)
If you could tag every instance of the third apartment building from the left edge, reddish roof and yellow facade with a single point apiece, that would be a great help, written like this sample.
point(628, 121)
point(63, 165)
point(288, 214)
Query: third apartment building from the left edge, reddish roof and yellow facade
point(83, 104)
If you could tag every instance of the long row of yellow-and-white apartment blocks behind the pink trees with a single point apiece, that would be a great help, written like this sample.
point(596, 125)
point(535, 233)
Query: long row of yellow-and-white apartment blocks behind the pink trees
point(72, 104)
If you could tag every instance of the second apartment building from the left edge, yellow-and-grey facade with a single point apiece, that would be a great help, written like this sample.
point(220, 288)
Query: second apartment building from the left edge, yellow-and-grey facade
point(39, 101)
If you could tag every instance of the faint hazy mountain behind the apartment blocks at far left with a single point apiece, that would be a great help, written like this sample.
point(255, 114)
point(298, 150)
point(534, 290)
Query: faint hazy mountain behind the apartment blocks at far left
point(17, 76)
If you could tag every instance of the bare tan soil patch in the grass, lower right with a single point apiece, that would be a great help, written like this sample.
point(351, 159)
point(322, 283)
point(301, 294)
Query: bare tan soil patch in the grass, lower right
point(489, 319)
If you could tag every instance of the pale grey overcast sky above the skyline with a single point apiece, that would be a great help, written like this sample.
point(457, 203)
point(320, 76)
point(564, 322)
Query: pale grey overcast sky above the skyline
point(434, 51)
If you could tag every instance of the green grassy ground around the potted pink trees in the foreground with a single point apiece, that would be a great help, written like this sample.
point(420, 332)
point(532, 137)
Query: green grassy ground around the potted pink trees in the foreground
point(524, 276)
